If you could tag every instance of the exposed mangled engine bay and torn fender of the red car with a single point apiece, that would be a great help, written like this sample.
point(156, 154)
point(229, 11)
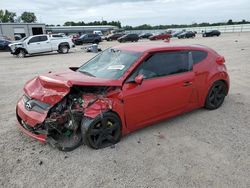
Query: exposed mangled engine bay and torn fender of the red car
point(62, 125)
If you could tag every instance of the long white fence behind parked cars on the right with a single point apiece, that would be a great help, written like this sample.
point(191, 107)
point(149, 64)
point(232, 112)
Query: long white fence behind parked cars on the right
point(223, 28)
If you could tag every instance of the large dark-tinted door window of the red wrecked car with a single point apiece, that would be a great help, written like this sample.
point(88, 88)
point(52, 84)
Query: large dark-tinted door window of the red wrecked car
point(163, 64)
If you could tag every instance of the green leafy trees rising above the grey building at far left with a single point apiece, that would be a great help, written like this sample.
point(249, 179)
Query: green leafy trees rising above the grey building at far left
point(8, 16)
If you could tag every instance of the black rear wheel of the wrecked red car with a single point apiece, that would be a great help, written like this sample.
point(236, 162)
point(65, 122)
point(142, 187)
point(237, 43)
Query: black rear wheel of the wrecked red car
point(216, 95)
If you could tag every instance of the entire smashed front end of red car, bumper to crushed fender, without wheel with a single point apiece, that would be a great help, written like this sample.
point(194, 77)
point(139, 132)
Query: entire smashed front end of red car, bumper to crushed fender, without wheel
point(57, 117)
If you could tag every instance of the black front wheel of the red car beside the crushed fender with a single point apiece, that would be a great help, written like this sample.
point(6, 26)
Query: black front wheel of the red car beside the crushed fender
point(102, 131)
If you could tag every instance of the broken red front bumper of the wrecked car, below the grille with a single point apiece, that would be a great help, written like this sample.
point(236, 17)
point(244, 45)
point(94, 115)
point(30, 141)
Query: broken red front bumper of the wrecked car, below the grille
point(27, 120)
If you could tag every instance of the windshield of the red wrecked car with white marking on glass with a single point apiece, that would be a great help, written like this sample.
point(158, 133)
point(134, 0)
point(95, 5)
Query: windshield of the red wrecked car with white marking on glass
point(110, 64)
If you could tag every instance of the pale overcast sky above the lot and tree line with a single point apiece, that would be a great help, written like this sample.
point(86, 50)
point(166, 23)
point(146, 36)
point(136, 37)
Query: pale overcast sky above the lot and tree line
point(132, 12)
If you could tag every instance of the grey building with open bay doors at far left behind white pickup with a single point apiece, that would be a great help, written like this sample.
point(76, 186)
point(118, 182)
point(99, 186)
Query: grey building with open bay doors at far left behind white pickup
point(16, 31)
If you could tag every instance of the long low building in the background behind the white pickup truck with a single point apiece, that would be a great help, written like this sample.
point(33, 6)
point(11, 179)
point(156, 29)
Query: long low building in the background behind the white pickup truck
point(80, 29)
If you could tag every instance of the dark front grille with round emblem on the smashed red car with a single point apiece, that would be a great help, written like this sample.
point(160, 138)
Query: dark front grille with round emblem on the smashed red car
point(35, 105)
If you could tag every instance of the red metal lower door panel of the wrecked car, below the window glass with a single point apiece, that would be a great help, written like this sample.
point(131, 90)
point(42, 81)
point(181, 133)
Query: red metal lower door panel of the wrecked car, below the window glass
point(155, 98)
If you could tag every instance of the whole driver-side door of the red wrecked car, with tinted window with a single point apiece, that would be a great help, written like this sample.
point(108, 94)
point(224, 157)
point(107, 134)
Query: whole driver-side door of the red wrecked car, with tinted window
point(165, 90)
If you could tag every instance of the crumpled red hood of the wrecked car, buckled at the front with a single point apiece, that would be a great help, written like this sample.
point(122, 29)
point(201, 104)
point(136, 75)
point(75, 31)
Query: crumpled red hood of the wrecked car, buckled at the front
point(52, 87)
